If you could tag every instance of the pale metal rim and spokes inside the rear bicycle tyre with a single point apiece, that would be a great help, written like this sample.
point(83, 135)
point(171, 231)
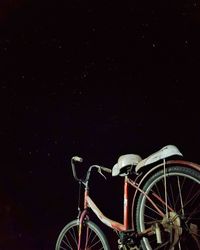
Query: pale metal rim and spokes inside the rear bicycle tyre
point(183, 196)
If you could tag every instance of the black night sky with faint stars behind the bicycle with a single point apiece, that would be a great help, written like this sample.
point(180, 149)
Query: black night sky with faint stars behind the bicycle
point(96, 79)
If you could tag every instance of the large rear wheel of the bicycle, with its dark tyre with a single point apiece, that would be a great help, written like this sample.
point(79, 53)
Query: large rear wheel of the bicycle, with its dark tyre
point(179, 226)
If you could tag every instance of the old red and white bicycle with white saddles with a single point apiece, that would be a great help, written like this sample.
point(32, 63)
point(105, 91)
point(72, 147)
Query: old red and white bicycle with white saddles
point(165, 210)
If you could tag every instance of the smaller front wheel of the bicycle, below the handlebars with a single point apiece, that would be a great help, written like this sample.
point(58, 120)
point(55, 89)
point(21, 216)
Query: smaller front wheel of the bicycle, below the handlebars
point(92, 237)
